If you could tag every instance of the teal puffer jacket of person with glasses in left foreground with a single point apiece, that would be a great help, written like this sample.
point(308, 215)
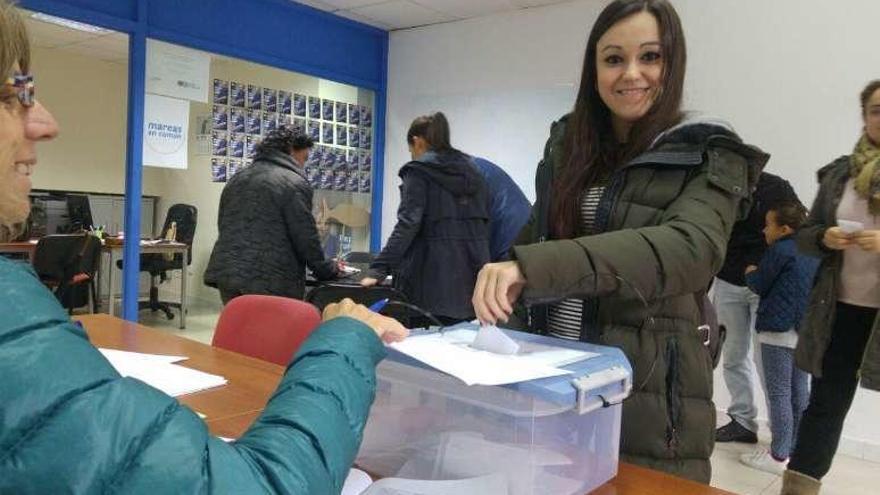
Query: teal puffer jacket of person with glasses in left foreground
point(70, 424)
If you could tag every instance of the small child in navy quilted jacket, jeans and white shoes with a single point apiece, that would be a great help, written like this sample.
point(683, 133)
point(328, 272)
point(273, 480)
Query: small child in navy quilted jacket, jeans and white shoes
point(783, 279)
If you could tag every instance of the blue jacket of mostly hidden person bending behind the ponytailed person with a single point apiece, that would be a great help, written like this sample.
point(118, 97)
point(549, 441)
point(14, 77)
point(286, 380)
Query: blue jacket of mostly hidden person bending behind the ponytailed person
point(508, 210)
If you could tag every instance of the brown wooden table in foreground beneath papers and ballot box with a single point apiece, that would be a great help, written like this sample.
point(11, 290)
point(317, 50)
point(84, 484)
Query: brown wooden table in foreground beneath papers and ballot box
point(231, 409)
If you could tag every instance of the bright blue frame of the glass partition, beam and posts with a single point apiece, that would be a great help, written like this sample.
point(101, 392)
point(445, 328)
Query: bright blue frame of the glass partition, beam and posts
point(278, 33)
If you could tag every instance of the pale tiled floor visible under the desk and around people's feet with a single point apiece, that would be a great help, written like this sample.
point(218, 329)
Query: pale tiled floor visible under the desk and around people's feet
point(849, 476)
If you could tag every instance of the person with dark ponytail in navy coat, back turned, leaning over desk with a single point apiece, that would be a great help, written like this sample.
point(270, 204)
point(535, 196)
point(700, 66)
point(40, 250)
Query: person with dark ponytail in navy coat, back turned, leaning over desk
point(441, 239)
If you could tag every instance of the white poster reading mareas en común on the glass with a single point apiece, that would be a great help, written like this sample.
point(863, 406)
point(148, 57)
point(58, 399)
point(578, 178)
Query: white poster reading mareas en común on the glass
point(166, 127)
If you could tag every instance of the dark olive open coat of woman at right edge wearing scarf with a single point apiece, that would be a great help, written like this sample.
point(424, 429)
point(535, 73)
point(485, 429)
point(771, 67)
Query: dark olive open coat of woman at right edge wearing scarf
point(815, 329)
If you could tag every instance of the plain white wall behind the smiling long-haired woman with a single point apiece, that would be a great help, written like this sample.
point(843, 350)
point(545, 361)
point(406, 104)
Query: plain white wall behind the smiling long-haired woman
point(786, 73)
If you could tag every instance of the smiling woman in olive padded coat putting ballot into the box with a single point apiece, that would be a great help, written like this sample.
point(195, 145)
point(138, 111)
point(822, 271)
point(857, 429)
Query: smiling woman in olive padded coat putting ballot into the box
point(635, 203)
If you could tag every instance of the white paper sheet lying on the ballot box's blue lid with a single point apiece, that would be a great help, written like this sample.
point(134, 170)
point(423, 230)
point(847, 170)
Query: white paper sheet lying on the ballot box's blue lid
point(451, 353)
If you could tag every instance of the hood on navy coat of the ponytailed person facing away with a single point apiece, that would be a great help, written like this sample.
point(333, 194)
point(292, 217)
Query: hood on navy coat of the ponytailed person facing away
point(453, 170)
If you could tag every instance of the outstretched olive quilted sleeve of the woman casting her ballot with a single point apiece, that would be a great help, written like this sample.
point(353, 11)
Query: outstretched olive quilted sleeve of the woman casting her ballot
point(677, 256)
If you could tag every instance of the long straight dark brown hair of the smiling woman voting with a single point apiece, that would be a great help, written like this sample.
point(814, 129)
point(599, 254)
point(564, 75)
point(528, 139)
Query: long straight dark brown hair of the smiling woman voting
point(591, 150)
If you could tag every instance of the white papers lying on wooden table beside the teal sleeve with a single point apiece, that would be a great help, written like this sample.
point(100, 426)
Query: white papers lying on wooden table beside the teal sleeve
point(159, 371)
